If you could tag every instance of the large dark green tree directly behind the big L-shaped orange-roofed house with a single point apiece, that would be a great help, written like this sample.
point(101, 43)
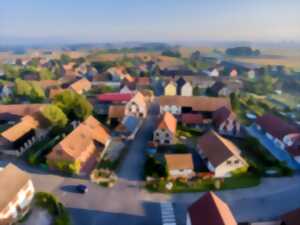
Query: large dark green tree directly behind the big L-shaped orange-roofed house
point(75, 106)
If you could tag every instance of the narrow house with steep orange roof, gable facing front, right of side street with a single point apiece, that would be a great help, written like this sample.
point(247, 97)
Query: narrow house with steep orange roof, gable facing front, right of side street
point(166, 129)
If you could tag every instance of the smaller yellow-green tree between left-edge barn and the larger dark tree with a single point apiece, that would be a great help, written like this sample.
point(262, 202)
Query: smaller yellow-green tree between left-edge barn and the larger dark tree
point(55, 116)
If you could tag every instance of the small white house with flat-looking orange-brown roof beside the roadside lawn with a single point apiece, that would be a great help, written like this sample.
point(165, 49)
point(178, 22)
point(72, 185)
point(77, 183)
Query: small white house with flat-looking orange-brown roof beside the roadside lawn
point(180, 165)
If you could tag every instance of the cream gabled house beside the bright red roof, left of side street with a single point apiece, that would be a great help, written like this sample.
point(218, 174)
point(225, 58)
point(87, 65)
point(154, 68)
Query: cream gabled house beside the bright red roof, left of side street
point(137, 106)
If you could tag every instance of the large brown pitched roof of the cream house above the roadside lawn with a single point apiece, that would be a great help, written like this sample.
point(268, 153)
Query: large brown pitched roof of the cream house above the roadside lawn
point(217, 149)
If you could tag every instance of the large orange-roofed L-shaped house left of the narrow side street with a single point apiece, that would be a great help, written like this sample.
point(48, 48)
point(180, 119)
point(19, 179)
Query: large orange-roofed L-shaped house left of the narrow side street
point(87, 142)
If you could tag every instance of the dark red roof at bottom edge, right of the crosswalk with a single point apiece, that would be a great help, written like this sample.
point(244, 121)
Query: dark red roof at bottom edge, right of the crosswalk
point(211, 210)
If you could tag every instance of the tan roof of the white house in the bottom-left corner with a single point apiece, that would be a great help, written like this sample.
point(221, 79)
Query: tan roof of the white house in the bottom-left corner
point(12, 180)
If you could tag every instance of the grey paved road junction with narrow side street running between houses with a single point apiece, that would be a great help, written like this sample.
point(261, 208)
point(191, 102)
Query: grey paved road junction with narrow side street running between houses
point(127, 203)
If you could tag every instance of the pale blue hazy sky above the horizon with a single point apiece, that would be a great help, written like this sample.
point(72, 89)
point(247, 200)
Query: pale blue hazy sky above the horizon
point(151, 20)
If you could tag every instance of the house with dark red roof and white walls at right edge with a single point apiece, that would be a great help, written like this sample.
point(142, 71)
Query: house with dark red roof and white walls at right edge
point(285, 135)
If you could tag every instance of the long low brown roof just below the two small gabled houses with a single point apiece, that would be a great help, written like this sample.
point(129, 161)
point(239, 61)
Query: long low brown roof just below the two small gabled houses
point(197, 103)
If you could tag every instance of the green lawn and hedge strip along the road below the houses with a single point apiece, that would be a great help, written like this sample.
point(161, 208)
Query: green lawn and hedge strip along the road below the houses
point(202, 185)
